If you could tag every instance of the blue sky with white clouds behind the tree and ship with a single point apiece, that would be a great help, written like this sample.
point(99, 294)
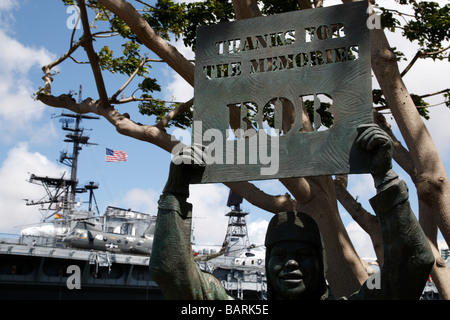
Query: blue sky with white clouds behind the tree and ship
point(33, 33)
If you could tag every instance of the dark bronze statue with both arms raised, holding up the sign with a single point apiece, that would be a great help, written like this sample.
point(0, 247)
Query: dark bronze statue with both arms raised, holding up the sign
point(295, 257)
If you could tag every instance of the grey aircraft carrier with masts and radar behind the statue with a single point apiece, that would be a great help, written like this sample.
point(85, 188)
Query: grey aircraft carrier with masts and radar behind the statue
point(76, 254)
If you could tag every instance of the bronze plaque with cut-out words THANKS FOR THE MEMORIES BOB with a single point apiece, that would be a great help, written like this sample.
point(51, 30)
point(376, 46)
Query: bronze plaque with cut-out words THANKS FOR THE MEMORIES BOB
point(258, 74)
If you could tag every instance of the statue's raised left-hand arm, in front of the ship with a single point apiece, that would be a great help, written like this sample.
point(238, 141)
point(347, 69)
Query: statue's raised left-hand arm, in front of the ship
point(172, 265)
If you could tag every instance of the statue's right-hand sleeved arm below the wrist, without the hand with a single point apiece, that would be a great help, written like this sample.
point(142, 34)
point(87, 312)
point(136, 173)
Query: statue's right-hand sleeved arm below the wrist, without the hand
point(408, 258)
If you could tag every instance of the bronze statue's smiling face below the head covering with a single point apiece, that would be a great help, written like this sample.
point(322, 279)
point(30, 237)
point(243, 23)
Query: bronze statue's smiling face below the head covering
point(294, 270)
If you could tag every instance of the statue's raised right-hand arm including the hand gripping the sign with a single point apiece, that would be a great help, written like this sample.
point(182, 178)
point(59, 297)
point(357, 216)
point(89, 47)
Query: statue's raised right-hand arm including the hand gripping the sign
point(407, 255)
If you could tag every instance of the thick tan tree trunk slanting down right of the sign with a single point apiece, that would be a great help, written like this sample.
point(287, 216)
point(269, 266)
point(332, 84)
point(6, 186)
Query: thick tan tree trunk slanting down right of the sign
point(433, 187)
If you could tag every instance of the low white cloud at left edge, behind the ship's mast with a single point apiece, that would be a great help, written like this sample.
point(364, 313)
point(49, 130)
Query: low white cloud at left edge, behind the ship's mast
point(14, 175)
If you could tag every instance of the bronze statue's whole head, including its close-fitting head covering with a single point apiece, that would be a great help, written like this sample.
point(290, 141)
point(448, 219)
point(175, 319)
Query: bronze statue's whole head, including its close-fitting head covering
point(295, 258)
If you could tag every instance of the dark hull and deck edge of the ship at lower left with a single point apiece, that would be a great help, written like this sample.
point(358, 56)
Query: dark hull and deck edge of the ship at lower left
point(32, 272)
